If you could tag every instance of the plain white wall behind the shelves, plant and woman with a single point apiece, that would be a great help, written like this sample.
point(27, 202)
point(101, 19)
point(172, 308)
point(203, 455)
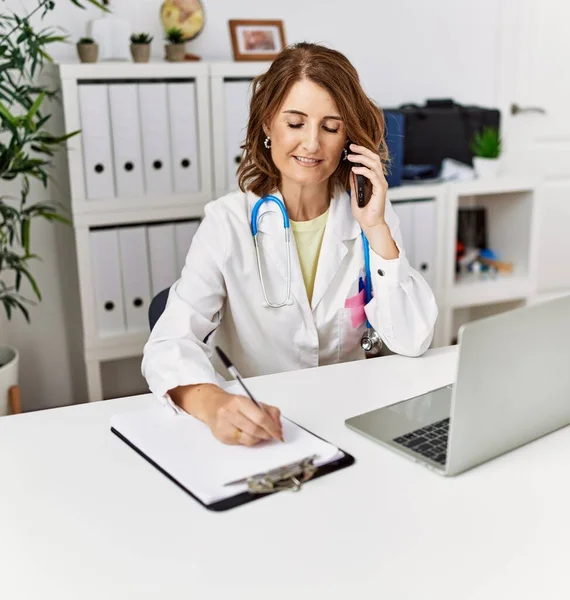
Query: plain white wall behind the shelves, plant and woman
point(405, 51)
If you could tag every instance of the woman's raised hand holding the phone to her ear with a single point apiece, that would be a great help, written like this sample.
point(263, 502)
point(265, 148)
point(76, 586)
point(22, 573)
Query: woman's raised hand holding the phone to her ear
point(371, 217)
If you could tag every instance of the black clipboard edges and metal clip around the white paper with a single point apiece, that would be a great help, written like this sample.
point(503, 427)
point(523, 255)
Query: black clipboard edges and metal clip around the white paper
point(289, 477)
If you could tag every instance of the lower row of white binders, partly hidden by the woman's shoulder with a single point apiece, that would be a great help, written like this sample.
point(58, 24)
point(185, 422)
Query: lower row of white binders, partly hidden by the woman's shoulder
point(130, 266)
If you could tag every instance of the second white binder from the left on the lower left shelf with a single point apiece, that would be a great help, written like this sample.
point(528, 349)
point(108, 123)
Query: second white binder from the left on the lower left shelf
point(135, 276)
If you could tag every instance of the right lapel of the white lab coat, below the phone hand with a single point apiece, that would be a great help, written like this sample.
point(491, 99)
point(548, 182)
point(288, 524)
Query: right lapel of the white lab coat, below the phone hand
point(341, 227)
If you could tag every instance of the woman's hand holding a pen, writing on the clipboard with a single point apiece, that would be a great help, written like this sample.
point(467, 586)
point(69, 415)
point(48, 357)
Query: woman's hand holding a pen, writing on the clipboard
point(233, 419)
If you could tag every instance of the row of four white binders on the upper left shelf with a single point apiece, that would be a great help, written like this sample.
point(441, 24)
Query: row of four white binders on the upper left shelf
point(139, 138)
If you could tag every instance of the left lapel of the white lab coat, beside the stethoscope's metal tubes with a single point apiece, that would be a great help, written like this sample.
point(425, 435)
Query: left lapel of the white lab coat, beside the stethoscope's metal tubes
point(271, 239)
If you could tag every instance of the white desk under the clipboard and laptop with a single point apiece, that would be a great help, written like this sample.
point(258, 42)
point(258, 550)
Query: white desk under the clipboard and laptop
point(83, 517)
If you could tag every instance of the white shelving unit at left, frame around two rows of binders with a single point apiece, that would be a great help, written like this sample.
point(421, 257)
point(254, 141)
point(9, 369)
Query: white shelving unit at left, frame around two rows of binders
point(89, 214)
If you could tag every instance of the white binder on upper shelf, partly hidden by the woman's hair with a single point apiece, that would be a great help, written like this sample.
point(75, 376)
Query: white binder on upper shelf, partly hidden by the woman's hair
point(236, 105)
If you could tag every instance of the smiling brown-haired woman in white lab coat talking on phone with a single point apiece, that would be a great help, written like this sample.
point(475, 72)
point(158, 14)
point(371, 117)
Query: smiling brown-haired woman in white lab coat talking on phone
point(310, 123)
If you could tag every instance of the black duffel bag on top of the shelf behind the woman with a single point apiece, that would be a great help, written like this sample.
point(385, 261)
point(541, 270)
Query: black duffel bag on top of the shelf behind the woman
point(443, 129)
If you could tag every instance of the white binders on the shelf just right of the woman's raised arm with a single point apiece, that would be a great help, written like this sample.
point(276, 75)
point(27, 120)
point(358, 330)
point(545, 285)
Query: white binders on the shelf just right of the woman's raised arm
point(418, 226)
